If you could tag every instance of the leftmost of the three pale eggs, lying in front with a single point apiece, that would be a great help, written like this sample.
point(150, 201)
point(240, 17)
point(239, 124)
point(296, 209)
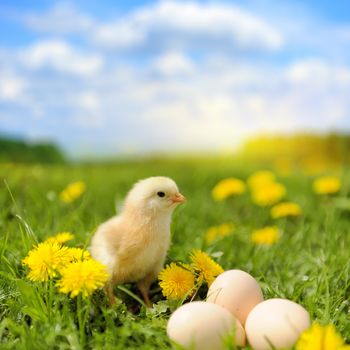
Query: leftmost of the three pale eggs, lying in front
point(203, 326)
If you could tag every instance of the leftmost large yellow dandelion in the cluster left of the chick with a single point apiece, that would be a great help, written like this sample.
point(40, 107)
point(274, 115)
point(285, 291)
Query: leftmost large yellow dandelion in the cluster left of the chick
point(45, 260)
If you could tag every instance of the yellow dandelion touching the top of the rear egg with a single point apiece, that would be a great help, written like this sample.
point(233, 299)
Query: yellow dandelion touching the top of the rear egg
point(205, 266)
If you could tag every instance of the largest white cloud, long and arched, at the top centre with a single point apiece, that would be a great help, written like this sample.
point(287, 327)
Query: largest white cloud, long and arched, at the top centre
point(179, 24)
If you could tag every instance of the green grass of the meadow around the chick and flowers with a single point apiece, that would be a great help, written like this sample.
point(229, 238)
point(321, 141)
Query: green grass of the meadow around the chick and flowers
point(309, 264)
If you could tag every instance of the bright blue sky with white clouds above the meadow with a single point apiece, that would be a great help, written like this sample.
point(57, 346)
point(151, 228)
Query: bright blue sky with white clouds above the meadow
point(129, 77)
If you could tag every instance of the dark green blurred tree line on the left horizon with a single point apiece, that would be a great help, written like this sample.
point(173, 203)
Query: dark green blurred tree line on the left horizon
point(12, 150)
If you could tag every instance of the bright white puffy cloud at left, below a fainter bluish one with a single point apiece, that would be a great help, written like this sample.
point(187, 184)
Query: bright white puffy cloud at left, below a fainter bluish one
point(60, 56)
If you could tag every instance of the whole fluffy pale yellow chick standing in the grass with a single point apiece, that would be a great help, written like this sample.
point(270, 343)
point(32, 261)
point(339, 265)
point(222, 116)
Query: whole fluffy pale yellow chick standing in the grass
point(133, 244)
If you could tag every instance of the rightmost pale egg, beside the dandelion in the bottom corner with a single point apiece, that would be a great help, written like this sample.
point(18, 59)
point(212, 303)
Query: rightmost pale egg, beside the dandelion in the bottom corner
point(280, 321)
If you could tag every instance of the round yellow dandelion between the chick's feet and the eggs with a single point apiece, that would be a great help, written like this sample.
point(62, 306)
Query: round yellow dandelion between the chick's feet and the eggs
point(176, 282)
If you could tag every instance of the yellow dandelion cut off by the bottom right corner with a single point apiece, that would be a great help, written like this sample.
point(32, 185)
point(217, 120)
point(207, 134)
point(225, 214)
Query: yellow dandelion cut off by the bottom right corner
point(319, 337)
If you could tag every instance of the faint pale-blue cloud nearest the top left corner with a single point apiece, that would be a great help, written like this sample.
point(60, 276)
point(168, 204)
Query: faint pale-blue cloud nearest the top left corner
point(61, 19)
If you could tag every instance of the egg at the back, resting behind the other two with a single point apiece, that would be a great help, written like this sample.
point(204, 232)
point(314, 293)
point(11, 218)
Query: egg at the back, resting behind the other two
point(236, 291)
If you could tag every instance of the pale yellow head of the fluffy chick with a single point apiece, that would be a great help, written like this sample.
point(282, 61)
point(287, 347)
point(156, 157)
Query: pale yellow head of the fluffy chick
point(154, 194)
